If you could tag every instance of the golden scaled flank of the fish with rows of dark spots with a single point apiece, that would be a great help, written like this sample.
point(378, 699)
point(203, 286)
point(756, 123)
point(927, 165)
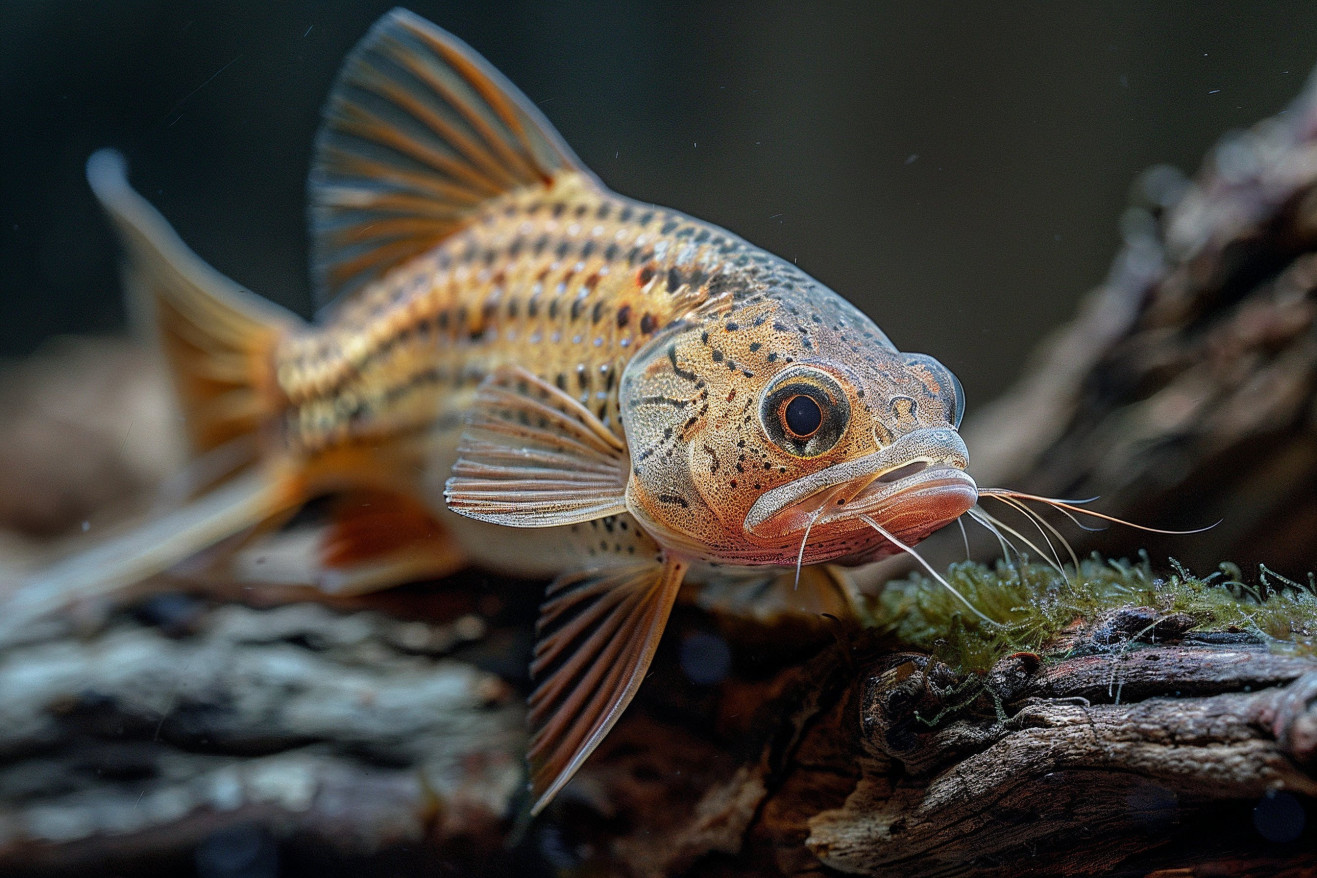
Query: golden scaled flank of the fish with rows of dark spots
point(572, 281)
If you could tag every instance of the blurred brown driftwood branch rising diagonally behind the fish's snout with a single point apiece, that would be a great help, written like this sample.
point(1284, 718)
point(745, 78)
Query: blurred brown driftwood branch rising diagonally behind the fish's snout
point(1183, 394)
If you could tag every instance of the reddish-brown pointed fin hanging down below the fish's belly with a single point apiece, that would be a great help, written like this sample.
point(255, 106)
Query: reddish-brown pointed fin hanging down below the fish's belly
point(597, 635)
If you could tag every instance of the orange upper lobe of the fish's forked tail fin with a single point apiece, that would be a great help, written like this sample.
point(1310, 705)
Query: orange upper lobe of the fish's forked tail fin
point(218, 339)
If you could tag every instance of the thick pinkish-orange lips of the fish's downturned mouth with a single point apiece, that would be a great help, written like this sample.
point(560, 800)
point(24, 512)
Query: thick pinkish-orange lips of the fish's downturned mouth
point(913, 488)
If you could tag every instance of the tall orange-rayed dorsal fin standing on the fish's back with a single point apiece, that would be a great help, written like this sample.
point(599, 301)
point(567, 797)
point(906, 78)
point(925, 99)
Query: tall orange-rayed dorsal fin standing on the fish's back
point(418, 134)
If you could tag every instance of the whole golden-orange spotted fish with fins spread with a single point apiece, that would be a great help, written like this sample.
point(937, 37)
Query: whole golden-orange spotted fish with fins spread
point(538, 376)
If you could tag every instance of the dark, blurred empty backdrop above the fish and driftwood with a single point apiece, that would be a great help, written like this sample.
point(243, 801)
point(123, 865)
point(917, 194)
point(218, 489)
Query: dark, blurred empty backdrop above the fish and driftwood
point(955, 169)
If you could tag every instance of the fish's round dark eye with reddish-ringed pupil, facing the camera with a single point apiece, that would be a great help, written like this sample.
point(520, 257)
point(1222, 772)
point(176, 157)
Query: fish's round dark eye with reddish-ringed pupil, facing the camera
point(805, 411)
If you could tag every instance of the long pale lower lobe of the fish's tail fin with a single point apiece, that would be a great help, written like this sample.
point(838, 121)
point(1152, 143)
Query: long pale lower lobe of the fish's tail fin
point(149, 550)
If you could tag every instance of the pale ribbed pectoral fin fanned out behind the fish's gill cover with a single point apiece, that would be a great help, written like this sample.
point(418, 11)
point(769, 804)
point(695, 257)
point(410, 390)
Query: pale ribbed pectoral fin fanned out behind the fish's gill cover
point(534, 457)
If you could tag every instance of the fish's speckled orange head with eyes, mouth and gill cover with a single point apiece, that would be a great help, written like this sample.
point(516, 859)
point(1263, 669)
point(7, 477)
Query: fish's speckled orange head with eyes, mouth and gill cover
point(784, 425)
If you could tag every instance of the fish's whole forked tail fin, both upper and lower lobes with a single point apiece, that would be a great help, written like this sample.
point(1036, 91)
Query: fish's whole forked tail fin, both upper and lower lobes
point(219, 343)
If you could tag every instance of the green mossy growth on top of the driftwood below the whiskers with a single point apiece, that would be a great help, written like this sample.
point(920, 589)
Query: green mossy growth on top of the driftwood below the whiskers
point(1035, 605)
